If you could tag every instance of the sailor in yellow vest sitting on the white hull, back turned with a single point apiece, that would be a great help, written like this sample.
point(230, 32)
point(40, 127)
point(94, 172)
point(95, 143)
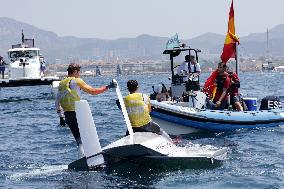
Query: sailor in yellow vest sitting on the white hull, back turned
point(138, 108)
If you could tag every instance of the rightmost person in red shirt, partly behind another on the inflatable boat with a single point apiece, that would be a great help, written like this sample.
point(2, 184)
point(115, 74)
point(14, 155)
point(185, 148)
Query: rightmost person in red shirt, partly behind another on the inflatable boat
point(234, 91)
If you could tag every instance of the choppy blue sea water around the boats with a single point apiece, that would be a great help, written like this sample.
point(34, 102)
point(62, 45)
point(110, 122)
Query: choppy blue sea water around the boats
point(35, 150)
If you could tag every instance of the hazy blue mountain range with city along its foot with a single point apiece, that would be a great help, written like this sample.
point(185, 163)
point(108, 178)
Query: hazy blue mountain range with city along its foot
point(143, 47)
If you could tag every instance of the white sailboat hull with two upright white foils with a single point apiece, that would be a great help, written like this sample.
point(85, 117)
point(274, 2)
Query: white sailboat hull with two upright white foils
point(139, 147)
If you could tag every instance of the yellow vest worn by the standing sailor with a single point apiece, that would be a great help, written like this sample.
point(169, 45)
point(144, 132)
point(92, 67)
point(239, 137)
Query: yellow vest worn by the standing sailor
point(69, 96)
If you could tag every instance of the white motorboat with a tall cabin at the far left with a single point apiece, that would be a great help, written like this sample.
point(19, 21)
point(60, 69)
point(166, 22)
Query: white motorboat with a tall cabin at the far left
point(25, 66)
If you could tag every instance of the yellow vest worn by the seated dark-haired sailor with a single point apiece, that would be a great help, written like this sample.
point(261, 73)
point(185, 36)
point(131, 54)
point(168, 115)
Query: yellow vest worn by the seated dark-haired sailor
point(137, 108)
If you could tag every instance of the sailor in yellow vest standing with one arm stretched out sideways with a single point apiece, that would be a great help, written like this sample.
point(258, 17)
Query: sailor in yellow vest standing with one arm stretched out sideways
point(69, 91)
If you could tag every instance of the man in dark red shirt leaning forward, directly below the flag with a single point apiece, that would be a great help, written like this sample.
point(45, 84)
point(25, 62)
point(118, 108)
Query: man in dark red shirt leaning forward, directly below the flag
point(222, 83)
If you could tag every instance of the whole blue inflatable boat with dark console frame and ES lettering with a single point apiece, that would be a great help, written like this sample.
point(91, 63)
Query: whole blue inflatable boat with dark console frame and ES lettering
point(176, 116)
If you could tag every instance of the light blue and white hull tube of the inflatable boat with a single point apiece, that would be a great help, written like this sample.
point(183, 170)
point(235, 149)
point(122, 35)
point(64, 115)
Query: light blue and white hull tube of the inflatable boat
point(178, 118)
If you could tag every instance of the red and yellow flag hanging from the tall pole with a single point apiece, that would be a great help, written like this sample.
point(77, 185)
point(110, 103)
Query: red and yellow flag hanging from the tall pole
point(229, 50)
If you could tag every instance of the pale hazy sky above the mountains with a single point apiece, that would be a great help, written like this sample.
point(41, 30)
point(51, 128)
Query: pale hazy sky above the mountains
point(112, 19)
